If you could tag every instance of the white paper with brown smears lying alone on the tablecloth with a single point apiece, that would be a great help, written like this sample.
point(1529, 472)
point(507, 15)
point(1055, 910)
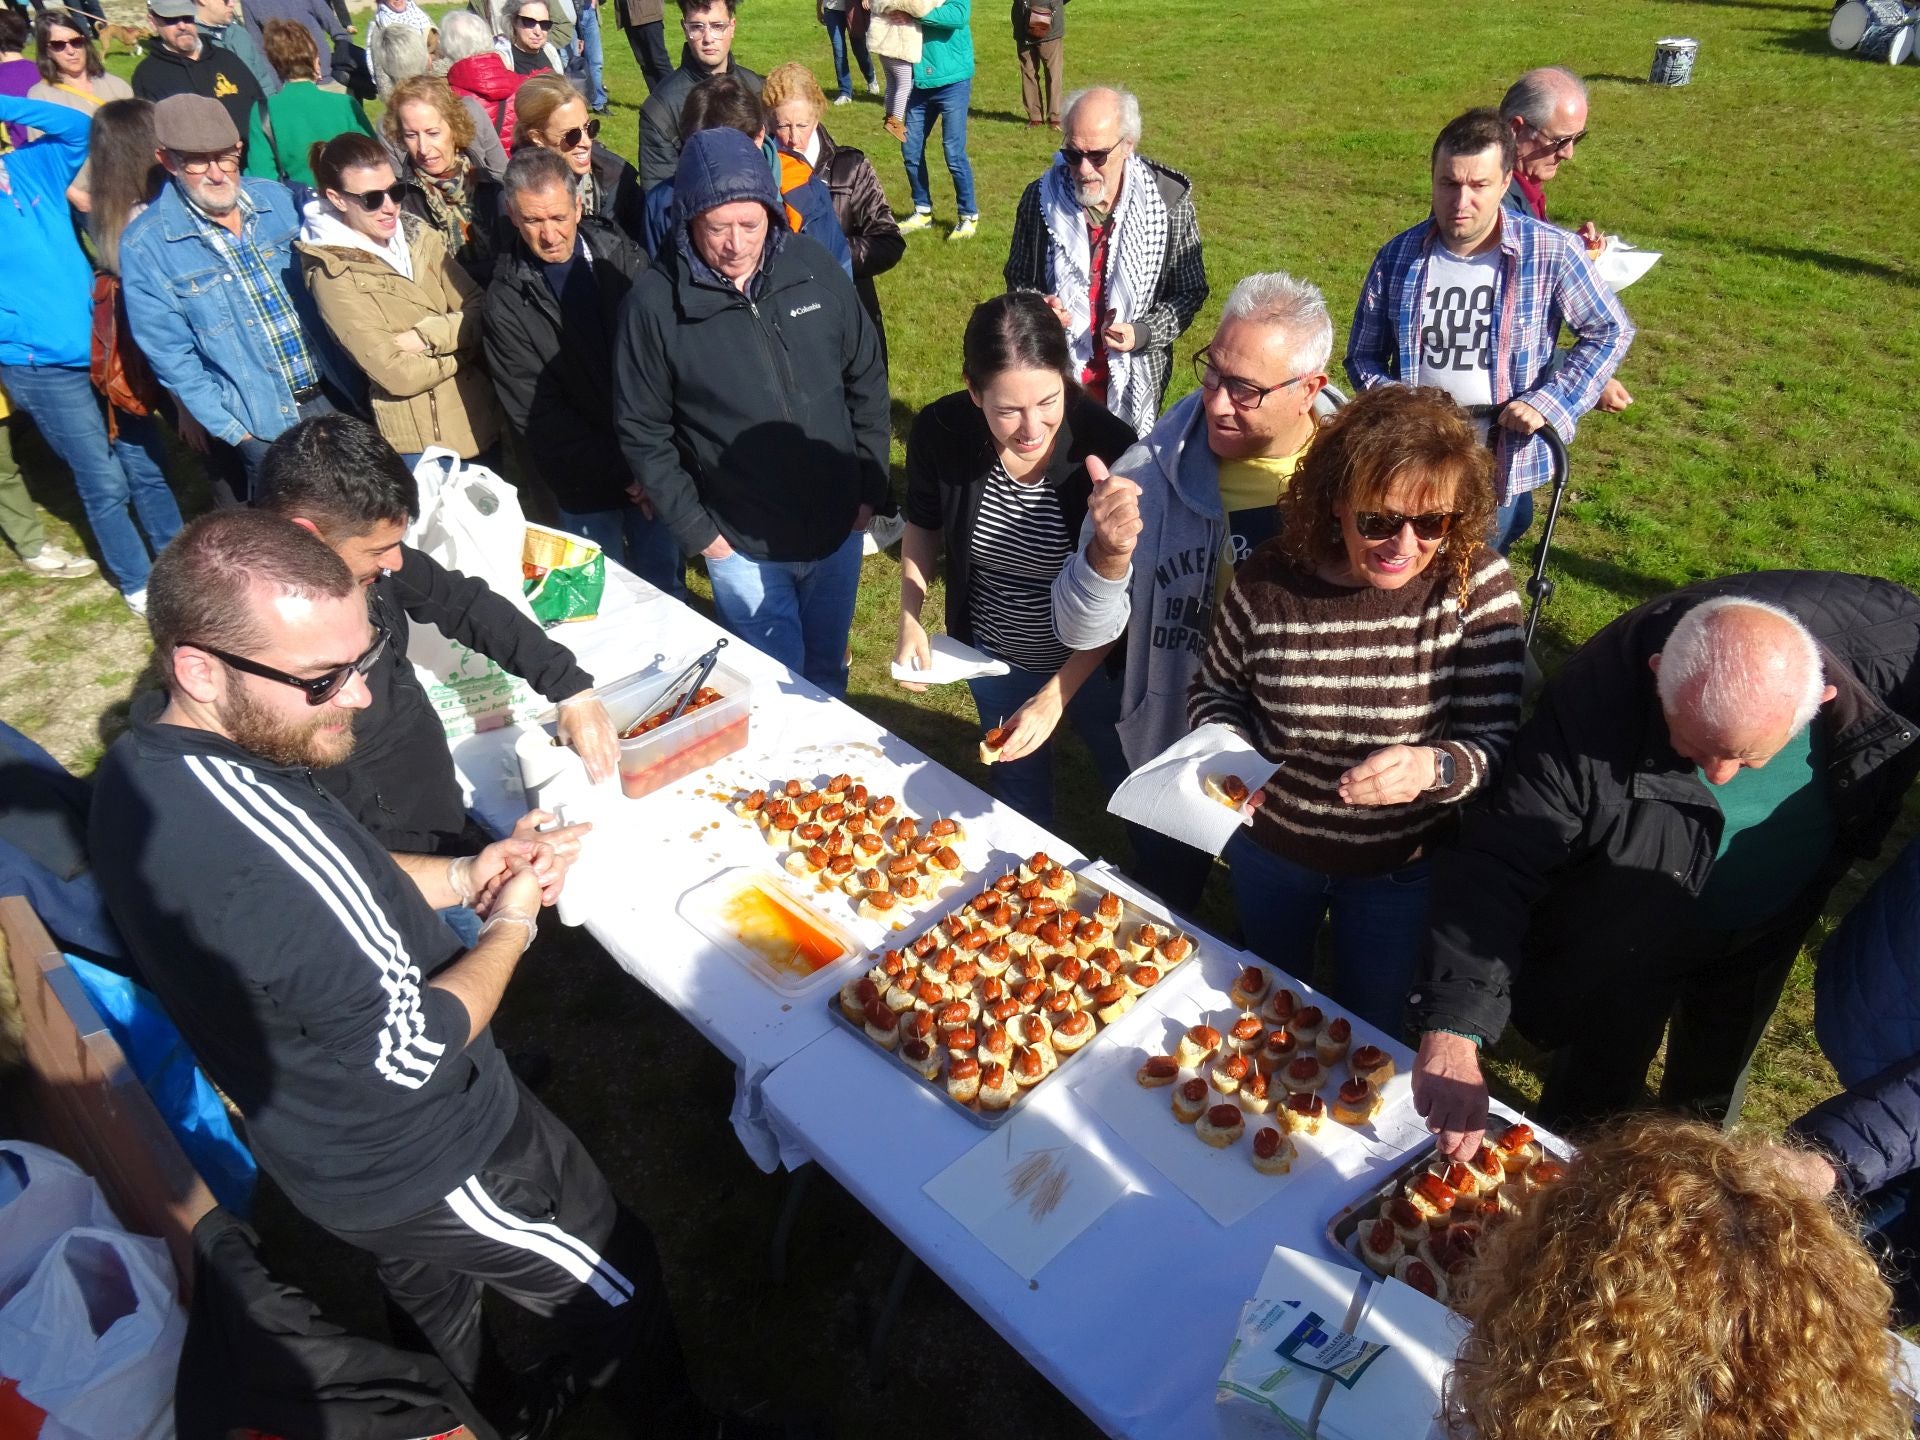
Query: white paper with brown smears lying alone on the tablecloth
point(978, 1191)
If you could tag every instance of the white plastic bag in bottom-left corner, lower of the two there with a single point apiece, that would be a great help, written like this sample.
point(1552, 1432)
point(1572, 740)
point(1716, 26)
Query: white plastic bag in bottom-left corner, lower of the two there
point(95, 1337)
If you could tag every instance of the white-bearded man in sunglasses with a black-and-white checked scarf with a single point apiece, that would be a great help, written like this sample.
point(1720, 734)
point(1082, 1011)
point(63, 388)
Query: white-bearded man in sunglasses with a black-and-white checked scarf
point(1111, 237)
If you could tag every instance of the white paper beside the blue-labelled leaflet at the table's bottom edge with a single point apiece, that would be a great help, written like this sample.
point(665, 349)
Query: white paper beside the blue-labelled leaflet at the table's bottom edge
point(1401, 1391)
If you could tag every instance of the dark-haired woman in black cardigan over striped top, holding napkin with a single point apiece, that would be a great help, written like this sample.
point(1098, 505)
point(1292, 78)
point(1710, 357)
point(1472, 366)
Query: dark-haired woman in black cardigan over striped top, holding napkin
point(997, 475)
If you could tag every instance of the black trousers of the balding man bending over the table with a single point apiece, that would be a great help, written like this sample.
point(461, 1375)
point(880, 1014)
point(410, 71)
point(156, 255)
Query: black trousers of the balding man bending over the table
point(1712, 996)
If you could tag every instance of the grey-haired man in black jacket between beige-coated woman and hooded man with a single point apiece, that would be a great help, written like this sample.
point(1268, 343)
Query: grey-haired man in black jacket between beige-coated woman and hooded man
point(552, 312)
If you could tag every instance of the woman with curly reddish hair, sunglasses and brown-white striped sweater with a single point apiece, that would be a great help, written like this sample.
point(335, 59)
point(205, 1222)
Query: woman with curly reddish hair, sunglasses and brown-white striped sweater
point(1374, 652)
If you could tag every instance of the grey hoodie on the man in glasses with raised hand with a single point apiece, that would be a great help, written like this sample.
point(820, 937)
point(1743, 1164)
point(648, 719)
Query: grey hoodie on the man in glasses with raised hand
point(1166, 602)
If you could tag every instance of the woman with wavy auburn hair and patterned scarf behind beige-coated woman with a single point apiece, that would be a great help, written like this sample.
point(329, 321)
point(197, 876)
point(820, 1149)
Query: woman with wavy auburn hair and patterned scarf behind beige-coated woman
point(435, 139)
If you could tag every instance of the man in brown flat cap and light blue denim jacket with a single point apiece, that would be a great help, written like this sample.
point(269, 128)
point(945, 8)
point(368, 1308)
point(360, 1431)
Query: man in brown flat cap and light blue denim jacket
point(214, 299)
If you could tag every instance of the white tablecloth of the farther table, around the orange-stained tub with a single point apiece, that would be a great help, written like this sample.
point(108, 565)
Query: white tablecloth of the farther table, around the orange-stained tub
point(675, 844)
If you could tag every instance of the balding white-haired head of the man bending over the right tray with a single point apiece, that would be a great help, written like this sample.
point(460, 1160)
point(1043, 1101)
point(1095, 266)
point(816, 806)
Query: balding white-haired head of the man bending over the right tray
point(1731, 673)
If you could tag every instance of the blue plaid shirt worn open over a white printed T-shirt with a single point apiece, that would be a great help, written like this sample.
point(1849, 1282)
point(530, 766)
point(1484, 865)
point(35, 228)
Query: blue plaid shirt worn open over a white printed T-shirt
point(1545, 281)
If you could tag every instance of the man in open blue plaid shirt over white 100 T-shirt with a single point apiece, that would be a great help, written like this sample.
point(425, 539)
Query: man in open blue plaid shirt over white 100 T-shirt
point(1474, 300)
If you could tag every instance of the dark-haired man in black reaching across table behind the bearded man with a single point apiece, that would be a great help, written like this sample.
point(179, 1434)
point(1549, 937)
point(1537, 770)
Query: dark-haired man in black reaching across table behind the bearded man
point(339, 479)
